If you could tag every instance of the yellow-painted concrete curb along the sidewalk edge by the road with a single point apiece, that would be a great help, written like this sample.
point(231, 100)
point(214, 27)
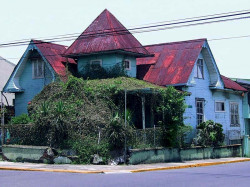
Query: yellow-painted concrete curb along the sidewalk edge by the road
point(126, 171)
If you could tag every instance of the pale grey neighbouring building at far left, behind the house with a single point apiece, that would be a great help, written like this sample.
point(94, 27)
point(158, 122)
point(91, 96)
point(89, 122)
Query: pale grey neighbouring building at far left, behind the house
point(6, 69)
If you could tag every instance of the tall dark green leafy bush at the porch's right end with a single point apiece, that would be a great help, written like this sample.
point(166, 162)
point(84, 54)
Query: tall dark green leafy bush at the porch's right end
point(170, 110)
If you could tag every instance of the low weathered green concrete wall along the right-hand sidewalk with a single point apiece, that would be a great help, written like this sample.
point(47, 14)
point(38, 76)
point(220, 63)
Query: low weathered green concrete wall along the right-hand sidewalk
point(160, 155)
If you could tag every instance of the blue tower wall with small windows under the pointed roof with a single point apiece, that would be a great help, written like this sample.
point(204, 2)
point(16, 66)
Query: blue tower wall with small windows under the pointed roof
point(108, 60)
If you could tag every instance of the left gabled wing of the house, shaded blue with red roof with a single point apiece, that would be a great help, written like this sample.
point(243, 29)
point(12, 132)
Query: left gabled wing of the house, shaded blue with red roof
point(41, 64)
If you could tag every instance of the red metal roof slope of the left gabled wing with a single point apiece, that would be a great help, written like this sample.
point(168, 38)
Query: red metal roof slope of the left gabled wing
point(53, 54)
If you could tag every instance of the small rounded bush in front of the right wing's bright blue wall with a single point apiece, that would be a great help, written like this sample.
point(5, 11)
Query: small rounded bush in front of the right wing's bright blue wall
point(210, 134)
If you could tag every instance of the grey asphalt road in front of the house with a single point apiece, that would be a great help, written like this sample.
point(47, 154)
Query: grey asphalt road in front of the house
point(236, 174)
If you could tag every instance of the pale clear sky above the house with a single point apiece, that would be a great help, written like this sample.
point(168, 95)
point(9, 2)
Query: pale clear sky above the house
point(30, 19)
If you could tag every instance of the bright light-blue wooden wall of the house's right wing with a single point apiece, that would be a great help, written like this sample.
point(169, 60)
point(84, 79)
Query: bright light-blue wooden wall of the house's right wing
point(199, 88)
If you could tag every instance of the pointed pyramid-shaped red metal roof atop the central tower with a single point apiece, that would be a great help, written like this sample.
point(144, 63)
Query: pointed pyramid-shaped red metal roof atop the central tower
point(105, 34)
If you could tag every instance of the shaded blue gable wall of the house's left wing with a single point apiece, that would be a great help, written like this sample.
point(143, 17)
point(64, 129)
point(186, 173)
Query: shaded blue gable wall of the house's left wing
point(31, 87)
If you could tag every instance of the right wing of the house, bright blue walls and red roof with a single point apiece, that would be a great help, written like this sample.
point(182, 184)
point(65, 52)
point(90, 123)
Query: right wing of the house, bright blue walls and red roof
point(190, 66)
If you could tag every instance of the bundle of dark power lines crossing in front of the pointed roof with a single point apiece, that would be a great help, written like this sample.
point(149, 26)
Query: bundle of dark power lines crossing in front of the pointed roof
point(134, 30)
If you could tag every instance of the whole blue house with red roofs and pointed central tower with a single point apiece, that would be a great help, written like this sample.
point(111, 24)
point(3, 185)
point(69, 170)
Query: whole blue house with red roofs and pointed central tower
point(188, 66)
